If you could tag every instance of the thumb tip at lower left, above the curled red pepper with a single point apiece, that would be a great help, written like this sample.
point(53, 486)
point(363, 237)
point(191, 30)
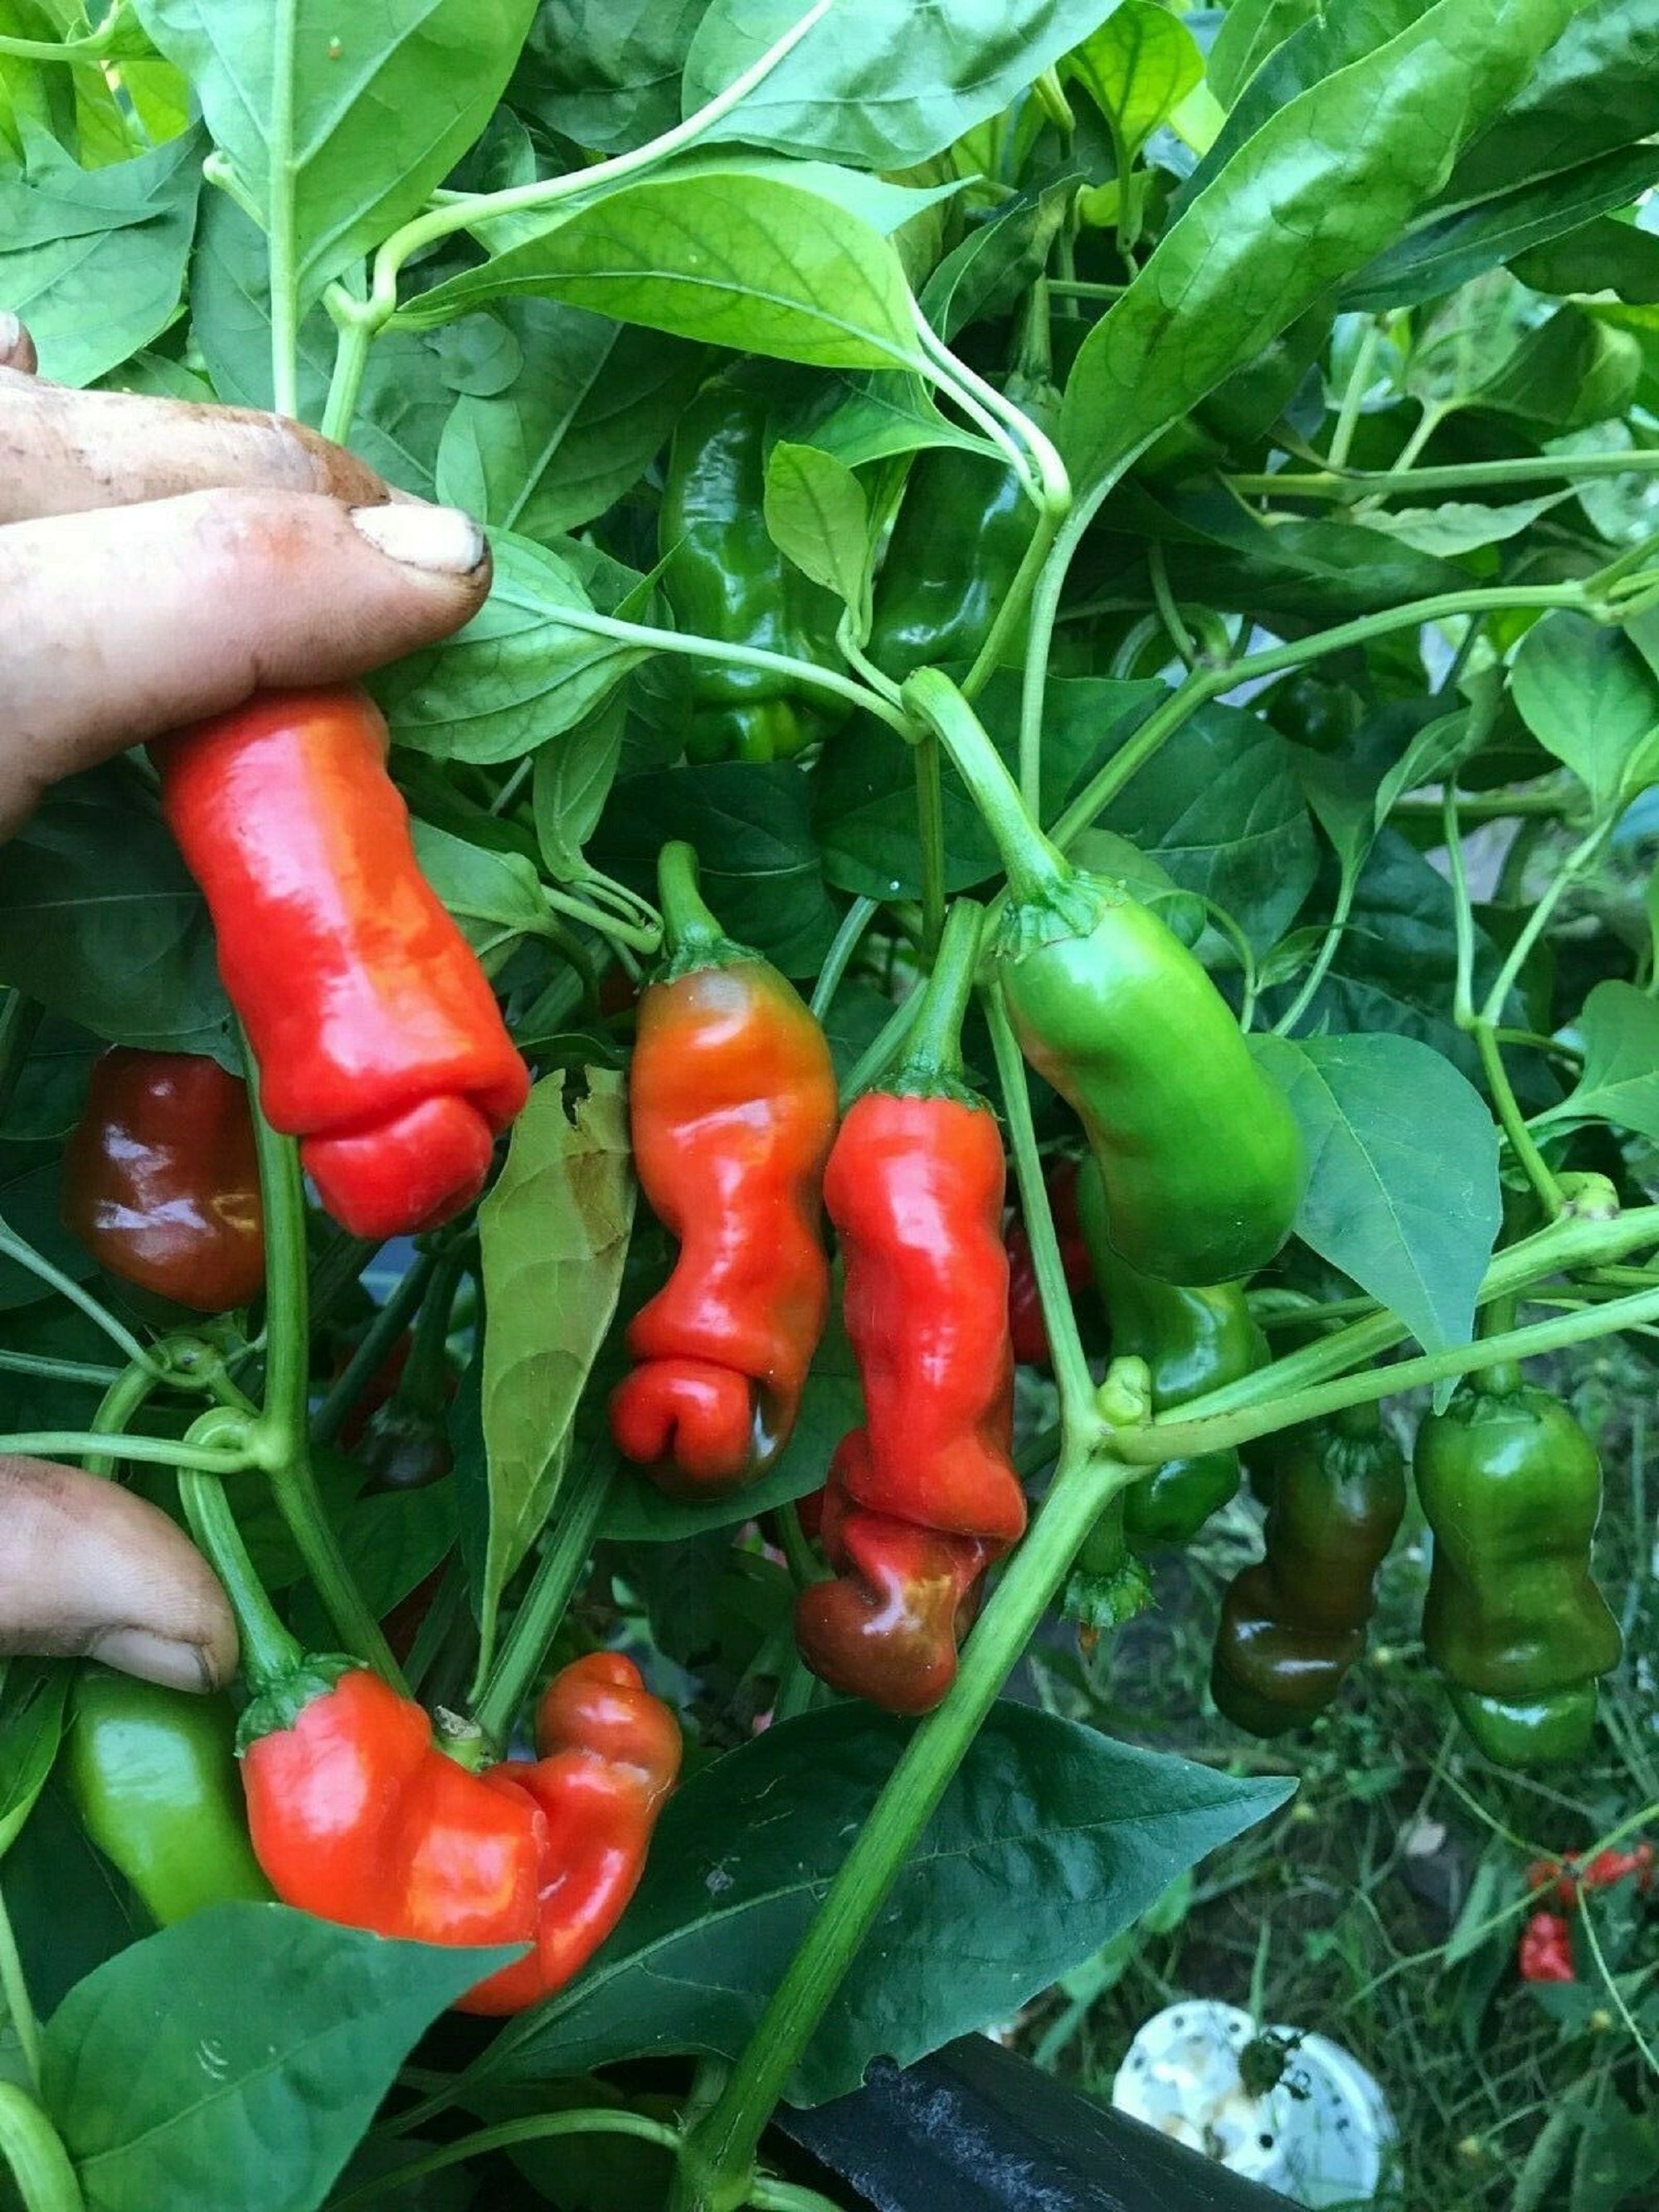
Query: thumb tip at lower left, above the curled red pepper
point(92, 1572)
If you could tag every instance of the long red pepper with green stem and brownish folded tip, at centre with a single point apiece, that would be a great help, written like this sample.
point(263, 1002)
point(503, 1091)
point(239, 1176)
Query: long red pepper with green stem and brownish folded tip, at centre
point(924, 1496)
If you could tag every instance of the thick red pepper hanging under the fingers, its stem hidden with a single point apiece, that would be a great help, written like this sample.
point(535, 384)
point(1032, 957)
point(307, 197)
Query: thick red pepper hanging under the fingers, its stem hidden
point(377, 1036)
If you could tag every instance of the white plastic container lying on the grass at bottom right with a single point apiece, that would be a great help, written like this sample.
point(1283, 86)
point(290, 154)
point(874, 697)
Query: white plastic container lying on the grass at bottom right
point(1319, 2136)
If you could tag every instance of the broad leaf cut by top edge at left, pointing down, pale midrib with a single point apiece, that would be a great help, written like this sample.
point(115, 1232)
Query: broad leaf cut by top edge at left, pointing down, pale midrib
point(342, 125)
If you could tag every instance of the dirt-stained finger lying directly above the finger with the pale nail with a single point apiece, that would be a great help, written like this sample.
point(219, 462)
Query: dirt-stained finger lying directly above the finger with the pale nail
point(65, 452)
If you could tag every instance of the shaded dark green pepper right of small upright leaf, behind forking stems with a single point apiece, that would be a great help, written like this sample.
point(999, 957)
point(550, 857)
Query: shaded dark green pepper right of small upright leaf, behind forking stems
point(959, 541)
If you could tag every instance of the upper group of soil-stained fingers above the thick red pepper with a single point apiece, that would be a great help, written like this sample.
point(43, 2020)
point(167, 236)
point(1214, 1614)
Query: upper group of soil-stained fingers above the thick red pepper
point(163, 561)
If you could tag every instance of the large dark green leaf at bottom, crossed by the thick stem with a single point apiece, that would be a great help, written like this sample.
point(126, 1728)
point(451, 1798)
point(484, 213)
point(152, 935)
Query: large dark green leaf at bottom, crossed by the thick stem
point(1083, 1830)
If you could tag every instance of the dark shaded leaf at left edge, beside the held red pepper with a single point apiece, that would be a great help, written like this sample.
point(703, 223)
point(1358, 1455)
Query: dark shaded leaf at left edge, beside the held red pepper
point(101, 921)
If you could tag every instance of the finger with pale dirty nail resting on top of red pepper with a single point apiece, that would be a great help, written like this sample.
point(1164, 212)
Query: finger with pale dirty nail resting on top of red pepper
point(125, 625)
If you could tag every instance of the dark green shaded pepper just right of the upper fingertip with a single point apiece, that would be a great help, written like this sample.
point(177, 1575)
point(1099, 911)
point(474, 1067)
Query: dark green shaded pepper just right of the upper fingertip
point(729, 581)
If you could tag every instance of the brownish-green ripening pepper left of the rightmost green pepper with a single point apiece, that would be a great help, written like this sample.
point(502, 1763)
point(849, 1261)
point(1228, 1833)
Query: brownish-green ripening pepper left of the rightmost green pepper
point(1295, 1623)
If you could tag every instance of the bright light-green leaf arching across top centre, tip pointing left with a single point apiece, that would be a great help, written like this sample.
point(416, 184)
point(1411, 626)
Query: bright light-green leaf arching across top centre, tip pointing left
point(722, 253)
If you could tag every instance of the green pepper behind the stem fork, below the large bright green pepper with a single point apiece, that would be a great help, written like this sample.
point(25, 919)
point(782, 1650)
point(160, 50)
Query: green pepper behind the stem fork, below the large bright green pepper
point(1193, 1342)
